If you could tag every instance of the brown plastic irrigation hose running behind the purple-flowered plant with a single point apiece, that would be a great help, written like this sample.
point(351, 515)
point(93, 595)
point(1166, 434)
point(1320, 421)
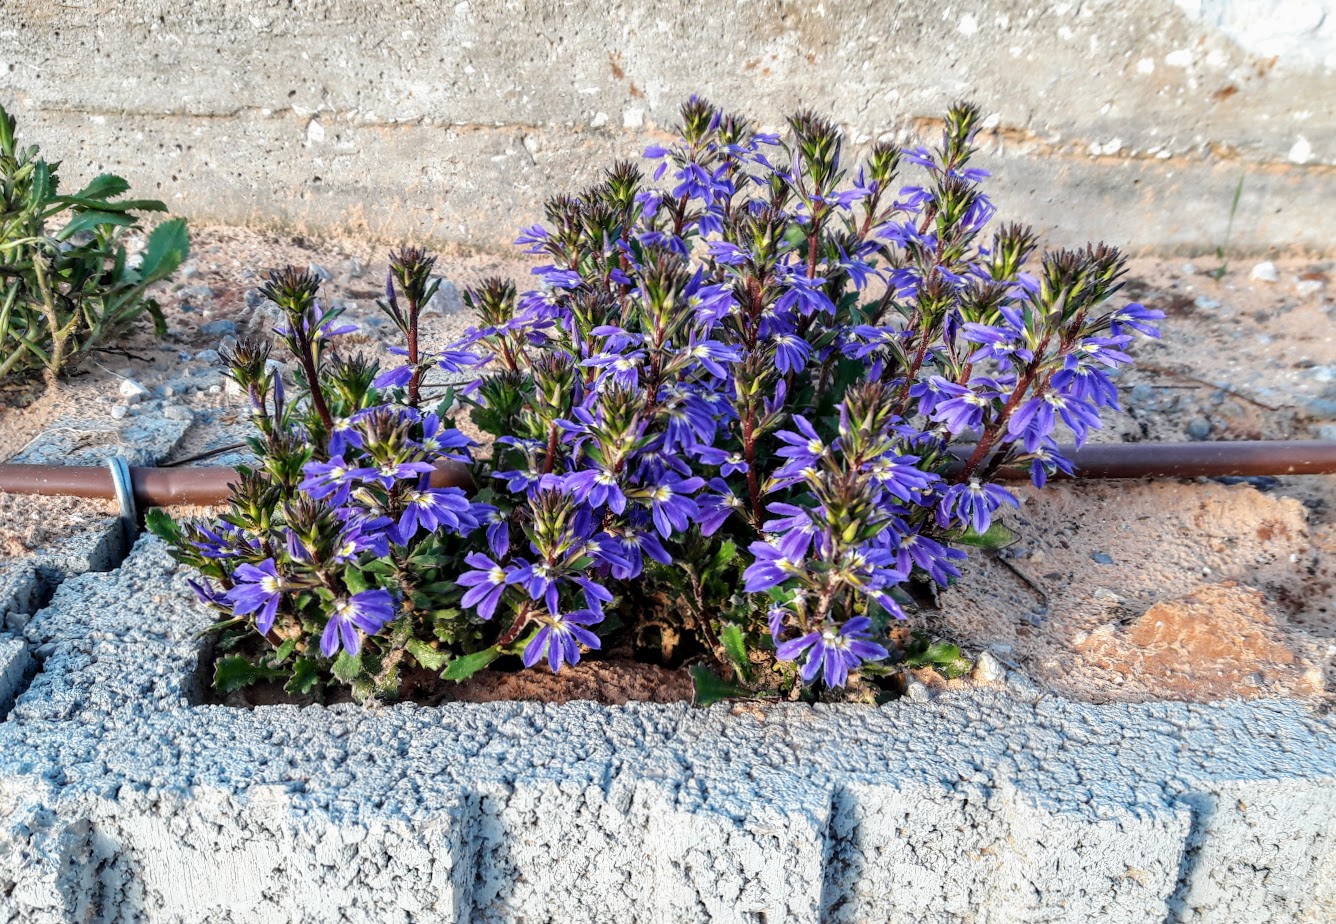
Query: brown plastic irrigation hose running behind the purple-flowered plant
point(208, 487)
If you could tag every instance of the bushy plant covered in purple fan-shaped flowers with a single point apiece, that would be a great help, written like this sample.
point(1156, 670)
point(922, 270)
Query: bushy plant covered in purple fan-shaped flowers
point(721, 429)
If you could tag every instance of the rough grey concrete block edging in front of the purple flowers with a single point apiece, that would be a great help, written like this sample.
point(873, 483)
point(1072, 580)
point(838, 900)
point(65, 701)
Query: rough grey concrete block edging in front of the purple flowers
point(120, 800)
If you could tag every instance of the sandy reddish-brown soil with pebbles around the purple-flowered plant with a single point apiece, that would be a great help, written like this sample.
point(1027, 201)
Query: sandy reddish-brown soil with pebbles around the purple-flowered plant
point(1248, 576)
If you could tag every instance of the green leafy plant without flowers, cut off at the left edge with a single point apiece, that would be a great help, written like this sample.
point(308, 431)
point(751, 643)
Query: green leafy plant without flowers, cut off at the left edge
point(65, 290)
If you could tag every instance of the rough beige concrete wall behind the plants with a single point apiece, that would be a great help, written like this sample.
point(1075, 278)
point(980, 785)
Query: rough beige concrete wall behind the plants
point(1131, 121)
